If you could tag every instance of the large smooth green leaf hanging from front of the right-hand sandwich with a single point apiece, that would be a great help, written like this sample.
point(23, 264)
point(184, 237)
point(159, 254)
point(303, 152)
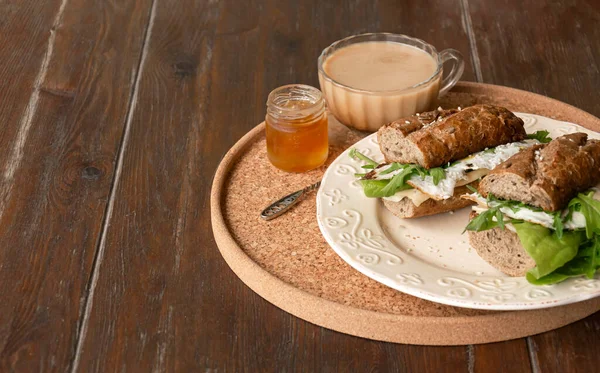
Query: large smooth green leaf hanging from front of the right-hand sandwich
point(547, 250)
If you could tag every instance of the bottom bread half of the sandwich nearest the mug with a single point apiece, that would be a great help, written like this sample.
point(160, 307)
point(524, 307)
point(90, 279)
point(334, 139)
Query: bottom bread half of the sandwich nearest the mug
point(406, 209)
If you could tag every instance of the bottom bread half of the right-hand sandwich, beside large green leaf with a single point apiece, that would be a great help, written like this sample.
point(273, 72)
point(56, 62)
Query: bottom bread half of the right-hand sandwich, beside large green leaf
point(502, 249)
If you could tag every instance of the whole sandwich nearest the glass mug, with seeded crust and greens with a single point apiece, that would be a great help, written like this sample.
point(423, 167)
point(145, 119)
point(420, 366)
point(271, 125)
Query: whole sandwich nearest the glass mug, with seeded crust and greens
point(431, 158)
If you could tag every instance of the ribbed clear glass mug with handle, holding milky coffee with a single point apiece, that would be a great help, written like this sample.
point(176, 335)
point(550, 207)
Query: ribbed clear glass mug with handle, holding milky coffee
point(369, 109)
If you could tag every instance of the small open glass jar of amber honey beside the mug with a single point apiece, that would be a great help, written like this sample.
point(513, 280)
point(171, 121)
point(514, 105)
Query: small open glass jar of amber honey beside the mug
point(296, 128)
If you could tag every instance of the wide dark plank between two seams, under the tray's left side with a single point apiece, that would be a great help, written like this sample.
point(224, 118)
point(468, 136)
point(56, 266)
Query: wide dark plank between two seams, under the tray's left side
point(164, 300)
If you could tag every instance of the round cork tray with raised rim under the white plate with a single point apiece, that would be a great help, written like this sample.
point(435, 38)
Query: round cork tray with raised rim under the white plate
point(287, 261)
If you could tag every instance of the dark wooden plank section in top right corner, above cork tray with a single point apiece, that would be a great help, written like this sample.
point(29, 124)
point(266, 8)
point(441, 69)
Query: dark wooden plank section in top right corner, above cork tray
point(544, 47)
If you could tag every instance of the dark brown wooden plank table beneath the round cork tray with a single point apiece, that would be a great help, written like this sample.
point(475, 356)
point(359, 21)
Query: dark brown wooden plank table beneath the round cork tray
point(115, 115)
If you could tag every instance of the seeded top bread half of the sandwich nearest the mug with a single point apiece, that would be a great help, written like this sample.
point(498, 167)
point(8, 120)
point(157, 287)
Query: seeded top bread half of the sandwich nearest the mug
point(436, 138)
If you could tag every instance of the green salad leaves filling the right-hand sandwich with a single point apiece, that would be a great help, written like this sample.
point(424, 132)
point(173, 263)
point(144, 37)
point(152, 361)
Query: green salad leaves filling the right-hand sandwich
point(558, 253)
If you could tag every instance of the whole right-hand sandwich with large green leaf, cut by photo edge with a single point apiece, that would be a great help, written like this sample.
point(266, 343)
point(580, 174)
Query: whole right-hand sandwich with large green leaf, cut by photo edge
point(538, 213)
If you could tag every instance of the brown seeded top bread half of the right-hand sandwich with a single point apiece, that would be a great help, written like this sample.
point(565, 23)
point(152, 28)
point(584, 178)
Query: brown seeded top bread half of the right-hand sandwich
point(547, 176)
